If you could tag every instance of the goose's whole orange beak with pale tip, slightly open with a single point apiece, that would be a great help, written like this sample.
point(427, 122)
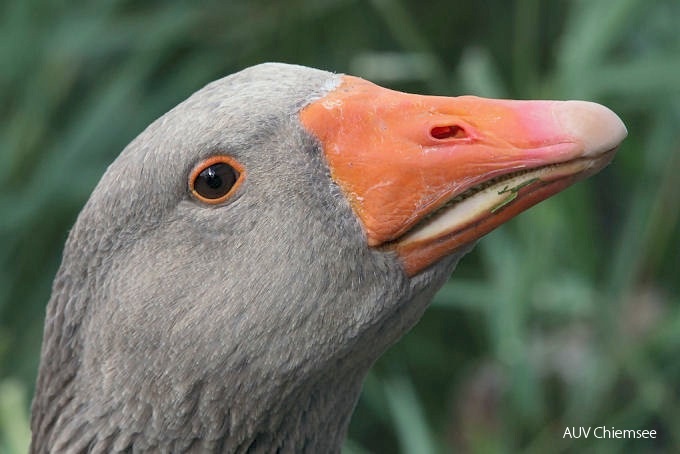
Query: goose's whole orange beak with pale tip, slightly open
point(427, 175)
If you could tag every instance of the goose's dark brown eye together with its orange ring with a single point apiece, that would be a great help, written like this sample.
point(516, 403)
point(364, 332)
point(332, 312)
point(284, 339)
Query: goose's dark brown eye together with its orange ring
point(214, 180)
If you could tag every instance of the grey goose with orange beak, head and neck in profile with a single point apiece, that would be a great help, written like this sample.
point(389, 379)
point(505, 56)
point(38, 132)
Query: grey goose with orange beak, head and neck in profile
point(246, 259)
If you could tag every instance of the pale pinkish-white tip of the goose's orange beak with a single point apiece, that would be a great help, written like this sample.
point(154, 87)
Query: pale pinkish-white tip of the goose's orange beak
point(595, 126)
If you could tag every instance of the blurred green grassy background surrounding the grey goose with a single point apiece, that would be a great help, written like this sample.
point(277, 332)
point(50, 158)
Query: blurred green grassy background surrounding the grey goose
point(567, 316)
